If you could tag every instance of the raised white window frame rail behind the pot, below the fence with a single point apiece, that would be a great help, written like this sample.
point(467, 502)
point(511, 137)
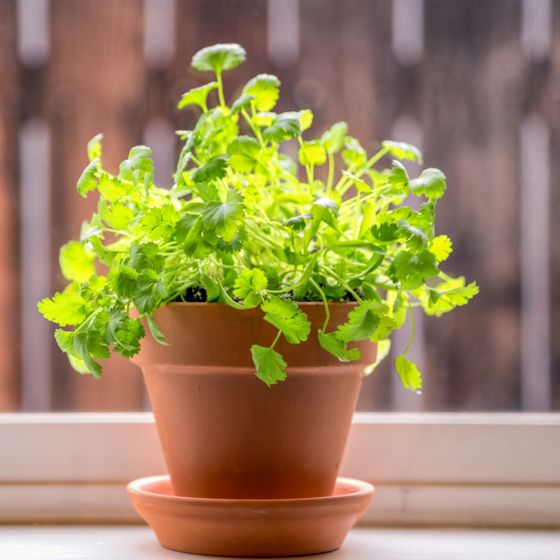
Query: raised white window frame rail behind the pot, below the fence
point(476, 470)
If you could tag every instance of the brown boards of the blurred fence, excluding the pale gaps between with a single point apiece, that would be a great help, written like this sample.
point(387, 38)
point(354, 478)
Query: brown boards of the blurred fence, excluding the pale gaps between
point(469, 92)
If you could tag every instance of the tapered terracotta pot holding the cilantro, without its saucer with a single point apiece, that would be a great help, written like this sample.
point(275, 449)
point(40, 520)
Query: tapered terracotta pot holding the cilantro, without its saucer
point(224, 433)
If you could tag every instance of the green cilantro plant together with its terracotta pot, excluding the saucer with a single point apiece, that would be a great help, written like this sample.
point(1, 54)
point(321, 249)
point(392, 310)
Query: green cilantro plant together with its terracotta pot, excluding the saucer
point(267, 283)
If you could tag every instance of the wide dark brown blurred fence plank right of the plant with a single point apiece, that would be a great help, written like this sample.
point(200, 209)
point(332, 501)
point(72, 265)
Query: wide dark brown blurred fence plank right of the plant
point(472, 95)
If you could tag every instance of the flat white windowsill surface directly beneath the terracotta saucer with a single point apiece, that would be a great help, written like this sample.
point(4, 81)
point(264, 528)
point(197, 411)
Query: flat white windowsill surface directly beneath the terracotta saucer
point(138, 543)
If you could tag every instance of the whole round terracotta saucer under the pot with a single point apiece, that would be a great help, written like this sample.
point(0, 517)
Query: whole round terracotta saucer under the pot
point(224, 527)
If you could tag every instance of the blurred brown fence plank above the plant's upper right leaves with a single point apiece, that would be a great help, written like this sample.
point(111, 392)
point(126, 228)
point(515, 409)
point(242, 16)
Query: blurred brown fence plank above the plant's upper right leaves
point(341, 74)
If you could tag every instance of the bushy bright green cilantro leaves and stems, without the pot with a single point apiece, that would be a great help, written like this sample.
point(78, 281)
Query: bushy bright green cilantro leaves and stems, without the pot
point(246, 225)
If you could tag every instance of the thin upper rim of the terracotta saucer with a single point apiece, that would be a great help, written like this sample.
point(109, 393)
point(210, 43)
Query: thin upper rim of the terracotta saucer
point(357, 488)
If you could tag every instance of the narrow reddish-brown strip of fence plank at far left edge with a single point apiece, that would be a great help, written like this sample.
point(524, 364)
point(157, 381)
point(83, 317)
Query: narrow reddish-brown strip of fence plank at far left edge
point(9, 297)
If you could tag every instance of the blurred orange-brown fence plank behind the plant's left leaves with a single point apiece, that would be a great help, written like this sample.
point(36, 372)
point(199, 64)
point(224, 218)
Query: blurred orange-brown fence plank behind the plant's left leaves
point(96, 84)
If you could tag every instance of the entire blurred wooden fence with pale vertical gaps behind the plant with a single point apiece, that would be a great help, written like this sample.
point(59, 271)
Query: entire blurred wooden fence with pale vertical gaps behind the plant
point(476, 84)
